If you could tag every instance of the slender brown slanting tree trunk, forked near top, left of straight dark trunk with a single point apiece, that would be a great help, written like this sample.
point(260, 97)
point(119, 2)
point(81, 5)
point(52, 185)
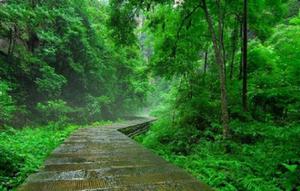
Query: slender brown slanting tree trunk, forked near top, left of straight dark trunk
point(220, 61)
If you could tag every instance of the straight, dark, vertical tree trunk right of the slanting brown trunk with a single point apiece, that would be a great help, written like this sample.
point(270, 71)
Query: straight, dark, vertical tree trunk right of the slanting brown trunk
point(245, 51)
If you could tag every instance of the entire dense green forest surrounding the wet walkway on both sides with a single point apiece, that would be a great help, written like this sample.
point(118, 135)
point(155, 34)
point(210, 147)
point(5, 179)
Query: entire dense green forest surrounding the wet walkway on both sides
point(221, 76)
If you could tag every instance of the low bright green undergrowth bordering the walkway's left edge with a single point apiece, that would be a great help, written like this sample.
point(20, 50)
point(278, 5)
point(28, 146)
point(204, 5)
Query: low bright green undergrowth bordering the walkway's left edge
point(22, 152)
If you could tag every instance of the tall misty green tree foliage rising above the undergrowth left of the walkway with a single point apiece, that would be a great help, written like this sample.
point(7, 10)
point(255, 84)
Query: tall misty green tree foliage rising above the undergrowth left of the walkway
point(69, 50)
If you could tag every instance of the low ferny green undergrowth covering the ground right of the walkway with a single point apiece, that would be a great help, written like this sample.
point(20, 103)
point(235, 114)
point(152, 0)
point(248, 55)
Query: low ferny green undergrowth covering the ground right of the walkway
point(260, 156)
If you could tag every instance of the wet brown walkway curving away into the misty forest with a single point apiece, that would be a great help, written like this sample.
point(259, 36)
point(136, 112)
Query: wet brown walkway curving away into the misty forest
point(104, 159)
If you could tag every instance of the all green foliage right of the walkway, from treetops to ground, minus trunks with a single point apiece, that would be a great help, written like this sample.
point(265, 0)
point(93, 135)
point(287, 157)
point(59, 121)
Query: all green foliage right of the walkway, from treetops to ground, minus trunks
point(262, 153)
